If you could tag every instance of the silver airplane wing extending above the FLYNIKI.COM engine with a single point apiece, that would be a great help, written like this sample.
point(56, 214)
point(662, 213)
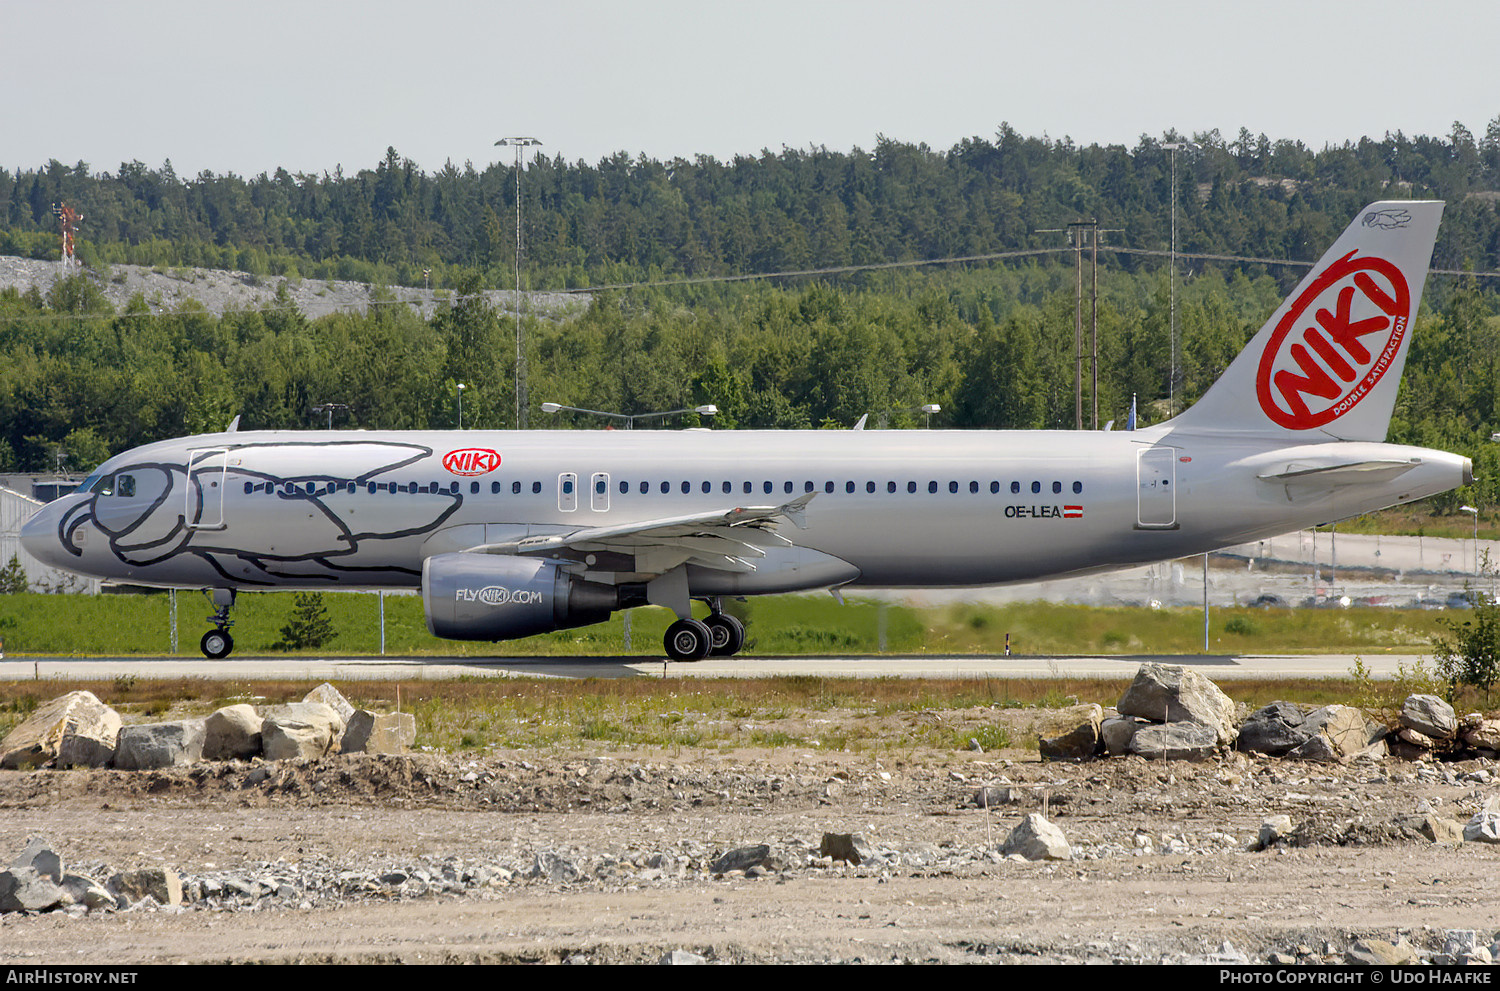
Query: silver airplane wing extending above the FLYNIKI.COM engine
point(725, 540)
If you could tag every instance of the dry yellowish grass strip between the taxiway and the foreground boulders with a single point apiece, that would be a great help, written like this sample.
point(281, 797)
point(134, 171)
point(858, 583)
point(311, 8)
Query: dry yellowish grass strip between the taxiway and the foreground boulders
point(814, 714)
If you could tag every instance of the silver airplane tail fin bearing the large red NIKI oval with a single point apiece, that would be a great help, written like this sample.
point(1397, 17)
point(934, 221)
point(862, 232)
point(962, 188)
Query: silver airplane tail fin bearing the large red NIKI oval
point(1328, 362)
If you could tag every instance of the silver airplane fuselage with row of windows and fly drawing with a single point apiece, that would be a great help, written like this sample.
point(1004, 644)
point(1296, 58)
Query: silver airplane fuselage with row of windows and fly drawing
point(899, 507)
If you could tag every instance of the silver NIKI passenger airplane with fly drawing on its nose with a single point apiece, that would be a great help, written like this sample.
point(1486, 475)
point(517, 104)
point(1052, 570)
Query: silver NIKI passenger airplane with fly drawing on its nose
point(515, 533)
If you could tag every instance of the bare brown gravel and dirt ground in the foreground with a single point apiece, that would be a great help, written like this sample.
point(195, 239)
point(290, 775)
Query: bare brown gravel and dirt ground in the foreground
point(599, 855)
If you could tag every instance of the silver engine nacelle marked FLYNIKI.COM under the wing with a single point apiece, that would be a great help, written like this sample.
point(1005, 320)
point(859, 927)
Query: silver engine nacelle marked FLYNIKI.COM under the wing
point(500, 597)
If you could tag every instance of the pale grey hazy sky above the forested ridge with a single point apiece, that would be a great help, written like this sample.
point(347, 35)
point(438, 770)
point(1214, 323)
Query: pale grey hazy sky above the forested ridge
point(314, 85)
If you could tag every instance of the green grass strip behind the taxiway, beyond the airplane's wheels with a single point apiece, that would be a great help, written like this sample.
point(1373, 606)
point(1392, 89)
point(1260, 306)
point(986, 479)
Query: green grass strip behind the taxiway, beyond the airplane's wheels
point(139, 624)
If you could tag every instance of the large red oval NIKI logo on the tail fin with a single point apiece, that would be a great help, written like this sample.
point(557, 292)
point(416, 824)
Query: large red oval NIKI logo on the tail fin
point(1324, 356)
